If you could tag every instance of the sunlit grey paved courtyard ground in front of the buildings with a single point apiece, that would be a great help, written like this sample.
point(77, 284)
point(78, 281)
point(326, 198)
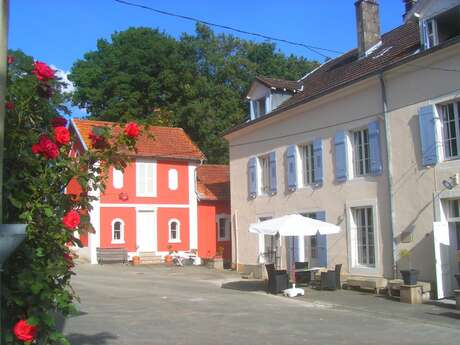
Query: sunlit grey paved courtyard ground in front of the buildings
point(150, 305)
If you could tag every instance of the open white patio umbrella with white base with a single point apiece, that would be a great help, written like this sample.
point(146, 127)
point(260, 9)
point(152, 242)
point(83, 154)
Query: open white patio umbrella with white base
point(293, 225)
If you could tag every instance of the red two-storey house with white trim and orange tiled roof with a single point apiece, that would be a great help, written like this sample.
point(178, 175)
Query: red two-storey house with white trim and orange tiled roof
point(153, 206)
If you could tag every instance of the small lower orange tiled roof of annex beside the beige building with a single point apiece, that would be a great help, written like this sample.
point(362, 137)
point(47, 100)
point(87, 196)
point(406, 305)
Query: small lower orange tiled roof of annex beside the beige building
point(213, 182)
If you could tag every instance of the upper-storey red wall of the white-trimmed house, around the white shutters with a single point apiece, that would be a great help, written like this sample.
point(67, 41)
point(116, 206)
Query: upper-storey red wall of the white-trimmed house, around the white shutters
point(164, 194)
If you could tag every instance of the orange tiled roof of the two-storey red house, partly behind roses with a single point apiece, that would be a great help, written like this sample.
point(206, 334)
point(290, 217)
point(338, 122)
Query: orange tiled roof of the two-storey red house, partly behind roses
point(166, 142)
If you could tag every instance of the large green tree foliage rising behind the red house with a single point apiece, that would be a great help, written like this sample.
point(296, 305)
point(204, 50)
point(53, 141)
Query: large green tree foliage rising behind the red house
point(197, 82)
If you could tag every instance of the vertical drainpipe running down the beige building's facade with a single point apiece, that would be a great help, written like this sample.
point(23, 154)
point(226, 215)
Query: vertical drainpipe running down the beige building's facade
point(390, 172)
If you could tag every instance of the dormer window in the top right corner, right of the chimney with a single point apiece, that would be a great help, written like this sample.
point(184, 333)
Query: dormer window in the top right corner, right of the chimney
point(441, 28)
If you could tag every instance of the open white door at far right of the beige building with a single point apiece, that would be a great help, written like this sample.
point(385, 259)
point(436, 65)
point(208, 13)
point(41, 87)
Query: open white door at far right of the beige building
point(442, 258)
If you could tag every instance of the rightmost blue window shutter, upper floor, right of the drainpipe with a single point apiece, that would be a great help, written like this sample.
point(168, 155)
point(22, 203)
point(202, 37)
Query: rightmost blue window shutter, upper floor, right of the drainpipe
point(428, 135)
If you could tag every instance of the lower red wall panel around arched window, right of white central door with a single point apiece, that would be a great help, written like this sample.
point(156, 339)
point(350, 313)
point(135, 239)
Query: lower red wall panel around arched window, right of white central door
point(163, 217)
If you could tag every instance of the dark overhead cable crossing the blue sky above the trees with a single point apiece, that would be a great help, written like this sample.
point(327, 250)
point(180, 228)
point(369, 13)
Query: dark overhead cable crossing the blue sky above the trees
point(313, 49)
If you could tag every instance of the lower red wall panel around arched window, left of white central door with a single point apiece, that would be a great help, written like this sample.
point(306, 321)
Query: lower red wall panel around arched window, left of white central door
point(128, 215)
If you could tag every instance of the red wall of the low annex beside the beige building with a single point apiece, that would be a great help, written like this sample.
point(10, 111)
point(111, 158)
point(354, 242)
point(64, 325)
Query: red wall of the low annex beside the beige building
point(207, 234)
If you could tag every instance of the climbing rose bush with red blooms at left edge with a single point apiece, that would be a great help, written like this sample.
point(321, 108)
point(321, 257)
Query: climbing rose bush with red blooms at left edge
point(40, 161)
